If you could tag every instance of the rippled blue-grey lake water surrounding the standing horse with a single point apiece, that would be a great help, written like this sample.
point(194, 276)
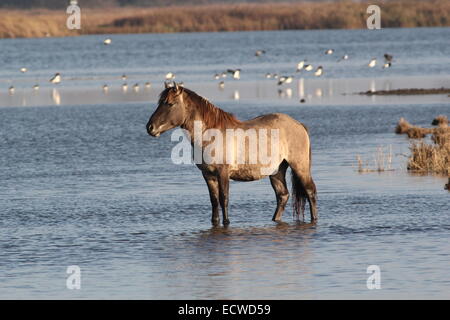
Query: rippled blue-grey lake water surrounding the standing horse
point(83, 184)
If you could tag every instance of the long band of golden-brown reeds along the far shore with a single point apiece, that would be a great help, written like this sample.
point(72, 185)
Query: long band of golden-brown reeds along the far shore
point(225, 17)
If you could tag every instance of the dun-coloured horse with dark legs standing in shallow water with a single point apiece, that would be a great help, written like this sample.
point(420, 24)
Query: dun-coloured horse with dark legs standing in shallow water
point(181, 107)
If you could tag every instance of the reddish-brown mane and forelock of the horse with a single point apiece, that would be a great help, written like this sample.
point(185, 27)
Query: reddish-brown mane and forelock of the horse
point(212, 116)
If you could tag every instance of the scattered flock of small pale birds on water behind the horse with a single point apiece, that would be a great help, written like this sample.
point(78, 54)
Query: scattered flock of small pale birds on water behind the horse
point(234, 73)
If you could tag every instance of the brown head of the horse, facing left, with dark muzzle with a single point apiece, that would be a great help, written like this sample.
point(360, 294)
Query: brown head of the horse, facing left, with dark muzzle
point(170, 113)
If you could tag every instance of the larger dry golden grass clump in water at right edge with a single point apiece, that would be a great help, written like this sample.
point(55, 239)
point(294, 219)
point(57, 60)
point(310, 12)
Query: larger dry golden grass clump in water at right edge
point(426, 157)
